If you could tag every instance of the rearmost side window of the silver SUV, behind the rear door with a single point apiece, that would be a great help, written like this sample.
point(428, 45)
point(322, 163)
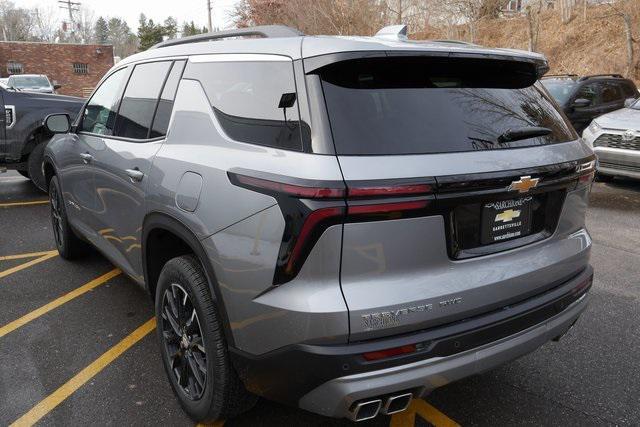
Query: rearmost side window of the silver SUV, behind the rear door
point(247, 98)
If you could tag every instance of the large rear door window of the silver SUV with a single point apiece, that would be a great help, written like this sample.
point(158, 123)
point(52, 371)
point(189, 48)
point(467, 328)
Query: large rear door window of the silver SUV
point(140, 98)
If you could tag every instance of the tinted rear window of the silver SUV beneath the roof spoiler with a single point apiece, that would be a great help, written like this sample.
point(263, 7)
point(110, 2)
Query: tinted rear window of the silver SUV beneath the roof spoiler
point(423, 105)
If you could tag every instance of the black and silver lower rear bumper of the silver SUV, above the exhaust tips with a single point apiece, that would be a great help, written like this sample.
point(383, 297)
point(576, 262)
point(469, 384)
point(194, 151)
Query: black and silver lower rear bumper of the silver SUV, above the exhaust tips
point(328, 379)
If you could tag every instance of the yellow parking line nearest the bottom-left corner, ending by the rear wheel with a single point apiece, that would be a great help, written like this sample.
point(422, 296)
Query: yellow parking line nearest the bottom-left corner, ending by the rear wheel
point(57, 397)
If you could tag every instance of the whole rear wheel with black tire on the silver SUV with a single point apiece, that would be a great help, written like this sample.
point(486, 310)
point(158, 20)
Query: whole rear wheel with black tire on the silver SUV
point(220, 394)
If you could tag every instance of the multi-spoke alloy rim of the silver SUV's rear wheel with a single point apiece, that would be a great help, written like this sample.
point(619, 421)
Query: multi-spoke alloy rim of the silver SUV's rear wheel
point(183, 341)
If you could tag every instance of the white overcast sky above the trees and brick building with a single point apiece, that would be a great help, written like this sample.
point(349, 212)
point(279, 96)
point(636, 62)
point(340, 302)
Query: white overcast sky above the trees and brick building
point(158, 10)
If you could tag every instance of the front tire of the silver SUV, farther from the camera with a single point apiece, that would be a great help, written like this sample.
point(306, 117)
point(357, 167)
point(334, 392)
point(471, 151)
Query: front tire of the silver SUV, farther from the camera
point(68, 243)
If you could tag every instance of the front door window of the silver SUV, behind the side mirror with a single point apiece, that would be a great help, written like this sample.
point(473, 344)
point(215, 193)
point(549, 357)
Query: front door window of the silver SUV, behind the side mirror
point(100, 113)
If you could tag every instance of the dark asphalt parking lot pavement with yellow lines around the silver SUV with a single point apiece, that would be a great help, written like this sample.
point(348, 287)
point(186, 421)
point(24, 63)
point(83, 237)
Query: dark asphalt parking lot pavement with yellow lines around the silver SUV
point(77, 344)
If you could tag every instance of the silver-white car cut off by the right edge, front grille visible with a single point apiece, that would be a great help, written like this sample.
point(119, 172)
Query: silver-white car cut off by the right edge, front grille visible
point(615, 138)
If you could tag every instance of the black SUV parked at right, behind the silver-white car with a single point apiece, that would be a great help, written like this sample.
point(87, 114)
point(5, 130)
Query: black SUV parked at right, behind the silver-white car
point(587, 97)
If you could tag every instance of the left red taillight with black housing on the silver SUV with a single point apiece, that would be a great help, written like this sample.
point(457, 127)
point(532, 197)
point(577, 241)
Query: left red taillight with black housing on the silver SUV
point(310, 207)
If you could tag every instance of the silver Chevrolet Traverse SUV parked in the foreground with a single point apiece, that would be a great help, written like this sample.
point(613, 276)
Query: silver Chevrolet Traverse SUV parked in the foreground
point(337, 223)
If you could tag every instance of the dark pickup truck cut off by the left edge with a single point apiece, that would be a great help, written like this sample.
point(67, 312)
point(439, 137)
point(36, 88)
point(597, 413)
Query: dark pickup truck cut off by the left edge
point(22, 136)
